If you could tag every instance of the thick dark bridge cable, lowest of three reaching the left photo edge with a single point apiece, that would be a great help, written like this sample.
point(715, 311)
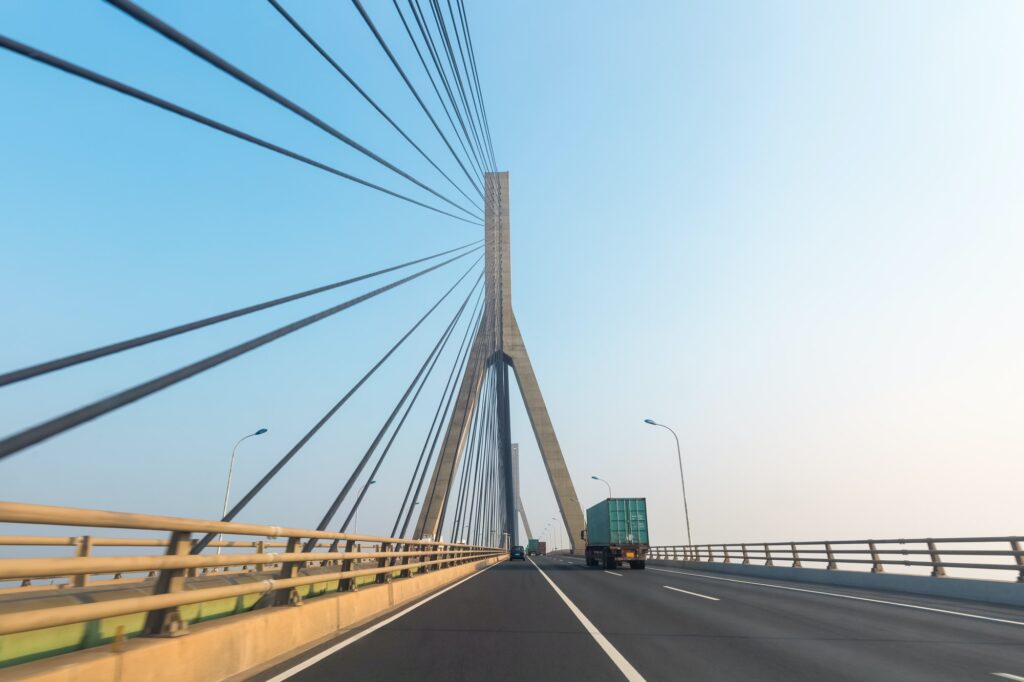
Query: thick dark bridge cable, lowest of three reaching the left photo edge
point(53, 428)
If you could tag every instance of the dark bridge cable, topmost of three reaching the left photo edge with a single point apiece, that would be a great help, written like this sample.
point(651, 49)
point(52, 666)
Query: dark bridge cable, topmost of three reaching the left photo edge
point(99, 79)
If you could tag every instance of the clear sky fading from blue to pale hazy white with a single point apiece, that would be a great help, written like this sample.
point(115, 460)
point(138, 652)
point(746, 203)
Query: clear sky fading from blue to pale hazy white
point(791, 231)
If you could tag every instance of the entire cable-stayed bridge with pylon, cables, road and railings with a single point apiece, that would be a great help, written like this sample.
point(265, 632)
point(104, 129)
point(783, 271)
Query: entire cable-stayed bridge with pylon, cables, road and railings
point(125, 594)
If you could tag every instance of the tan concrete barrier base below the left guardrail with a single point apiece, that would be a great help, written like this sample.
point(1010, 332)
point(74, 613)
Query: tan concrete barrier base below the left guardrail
point(240, 645)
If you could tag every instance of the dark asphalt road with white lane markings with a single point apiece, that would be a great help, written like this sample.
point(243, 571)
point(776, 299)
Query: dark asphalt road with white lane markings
point(510, 623)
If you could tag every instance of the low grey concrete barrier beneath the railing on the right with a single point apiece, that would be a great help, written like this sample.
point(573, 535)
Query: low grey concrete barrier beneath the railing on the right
point(1011, 594)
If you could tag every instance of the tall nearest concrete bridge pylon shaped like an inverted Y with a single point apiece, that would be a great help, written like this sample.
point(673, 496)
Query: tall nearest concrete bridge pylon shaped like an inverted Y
point(499, 345)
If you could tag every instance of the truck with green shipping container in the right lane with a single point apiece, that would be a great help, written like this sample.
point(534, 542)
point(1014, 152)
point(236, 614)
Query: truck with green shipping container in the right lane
point(617, 533)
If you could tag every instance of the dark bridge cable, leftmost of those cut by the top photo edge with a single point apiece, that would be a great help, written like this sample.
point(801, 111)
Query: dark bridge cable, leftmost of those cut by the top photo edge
point(199, 51)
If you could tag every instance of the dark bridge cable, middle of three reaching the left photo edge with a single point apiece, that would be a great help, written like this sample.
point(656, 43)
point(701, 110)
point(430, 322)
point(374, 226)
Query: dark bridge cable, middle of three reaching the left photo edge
point(87, 356)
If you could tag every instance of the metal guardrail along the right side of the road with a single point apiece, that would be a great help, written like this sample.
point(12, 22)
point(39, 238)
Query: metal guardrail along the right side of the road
point(954, 553)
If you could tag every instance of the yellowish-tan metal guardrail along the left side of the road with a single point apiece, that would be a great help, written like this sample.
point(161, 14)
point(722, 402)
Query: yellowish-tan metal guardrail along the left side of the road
point(393, 557)
